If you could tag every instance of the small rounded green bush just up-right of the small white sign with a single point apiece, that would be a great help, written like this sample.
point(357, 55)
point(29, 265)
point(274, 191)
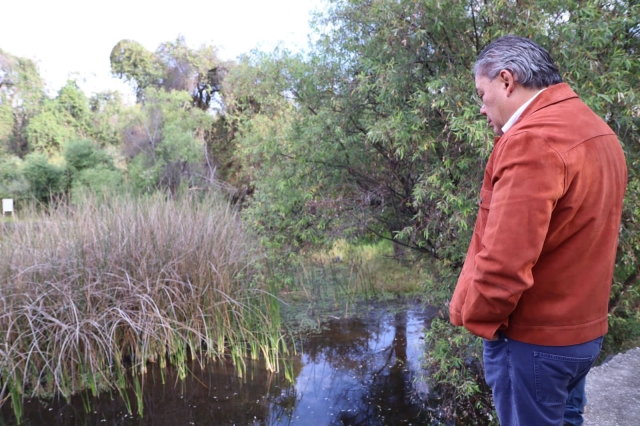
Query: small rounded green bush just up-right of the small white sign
point(46, 180)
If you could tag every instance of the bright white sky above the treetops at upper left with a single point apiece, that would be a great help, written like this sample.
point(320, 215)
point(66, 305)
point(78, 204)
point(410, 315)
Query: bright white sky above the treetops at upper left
point(74, 38)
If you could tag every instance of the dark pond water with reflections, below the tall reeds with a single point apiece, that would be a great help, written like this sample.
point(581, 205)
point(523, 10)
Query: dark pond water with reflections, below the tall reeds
point(357, 371)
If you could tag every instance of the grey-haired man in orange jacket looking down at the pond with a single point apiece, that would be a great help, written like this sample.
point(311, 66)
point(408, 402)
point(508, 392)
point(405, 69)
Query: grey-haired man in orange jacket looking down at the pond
point(536, 280)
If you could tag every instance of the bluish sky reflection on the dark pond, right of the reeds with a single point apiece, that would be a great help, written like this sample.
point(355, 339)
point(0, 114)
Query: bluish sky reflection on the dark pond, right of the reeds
point(360, 373)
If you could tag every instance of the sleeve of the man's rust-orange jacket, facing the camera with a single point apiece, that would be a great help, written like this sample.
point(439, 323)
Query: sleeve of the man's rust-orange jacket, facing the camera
point(528, 179)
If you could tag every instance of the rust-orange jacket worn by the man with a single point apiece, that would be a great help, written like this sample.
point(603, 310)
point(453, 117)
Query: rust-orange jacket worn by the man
point(540, 263)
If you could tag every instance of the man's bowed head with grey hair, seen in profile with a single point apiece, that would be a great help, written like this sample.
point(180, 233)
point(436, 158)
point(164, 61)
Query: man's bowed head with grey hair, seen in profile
point(508, 72)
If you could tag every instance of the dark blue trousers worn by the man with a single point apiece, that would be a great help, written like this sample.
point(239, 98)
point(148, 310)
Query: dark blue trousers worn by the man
point(537, 385)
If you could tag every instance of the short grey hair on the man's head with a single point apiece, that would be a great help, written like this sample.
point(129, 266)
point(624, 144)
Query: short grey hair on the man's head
point(531, 65)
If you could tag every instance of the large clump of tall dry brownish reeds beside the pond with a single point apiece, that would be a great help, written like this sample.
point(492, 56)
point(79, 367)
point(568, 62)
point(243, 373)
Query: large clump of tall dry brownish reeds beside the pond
point(92, 292)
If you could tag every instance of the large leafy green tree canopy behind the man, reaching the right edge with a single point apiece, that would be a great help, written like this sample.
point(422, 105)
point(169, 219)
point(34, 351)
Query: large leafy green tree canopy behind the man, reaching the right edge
point(375, 131)
